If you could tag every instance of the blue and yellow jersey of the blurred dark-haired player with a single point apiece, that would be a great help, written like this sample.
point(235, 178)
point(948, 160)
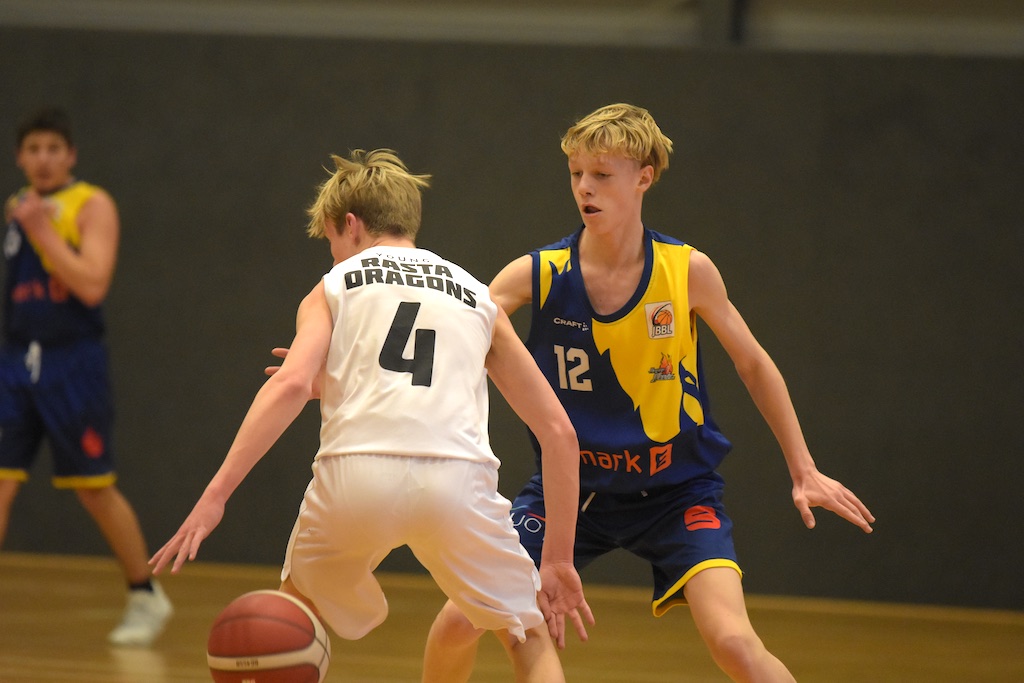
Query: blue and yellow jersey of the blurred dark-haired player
point(39, 308)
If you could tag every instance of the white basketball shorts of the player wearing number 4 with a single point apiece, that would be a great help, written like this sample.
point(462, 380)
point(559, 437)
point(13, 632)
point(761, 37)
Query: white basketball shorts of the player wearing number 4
point(358, 509)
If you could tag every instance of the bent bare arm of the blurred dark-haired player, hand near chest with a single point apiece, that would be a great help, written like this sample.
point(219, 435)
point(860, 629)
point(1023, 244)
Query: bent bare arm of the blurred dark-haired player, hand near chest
point(89, 271)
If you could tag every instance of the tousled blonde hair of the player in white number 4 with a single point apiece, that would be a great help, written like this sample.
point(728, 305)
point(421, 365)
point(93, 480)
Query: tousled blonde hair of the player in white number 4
point(377, 188)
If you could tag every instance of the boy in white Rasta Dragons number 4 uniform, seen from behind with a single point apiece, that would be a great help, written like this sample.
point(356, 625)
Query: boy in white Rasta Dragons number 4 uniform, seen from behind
point(399, 344)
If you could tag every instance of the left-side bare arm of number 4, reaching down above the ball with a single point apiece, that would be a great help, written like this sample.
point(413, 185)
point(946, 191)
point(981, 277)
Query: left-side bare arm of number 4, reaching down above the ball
point(277, 405)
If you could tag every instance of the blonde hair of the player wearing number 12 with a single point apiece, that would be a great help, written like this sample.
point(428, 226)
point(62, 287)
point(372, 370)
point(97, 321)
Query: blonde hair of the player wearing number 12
point(623, 130)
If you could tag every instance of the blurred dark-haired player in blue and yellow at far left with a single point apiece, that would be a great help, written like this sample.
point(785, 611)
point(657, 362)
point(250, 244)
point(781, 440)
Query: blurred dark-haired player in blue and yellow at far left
point(61, 250)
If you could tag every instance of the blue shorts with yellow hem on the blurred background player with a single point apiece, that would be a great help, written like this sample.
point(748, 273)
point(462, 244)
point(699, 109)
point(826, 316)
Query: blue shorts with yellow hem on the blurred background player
point(63, 395)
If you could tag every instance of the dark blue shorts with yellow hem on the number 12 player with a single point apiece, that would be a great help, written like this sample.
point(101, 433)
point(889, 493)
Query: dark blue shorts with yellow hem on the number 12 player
point(680, 531)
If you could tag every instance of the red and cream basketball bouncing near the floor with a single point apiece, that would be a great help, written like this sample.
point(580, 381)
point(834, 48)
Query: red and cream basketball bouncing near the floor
point(268, 637)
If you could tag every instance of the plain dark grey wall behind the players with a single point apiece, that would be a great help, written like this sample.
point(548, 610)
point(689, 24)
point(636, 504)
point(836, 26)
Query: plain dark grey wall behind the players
point(867, 214)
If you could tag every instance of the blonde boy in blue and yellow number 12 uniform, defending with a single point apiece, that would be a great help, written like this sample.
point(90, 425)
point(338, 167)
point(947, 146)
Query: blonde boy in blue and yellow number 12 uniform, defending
point(614, 329)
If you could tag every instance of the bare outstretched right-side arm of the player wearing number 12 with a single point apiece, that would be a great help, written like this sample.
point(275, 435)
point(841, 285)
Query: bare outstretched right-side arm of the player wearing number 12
point(766, 387)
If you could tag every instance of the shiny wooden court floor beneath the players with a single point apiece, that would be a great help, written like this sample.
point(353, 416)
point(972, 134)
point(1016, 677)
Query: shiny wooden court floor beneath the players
point(56, 613)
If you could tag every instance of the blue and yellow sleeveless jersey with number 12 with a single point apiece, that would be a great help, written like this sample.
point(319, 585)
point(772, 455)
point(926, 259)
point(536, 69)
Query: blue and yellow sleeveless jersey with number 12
point(631, 382)
